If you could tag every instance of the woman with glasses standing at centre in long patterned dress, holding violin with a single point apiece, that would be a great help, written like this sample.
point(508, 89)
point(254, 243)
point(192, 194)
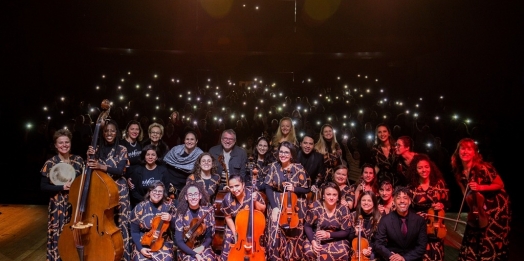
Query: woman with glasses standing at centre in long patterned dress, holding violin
point(284, 242)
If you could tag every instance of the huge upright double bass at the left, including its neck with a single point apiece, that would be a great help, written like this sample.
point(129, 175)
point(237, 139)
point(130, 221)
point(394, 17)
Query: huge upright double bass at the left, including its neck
point(92, 234)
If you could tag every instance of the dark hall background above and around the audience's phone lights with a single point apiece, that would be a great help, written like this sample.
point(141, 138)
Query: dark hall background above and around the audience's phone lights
point(468, 51)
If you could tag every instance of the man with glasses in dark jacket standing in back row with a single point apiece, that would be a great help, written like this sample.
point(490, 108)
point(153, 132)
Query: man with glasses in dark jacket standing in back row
point(230, 156)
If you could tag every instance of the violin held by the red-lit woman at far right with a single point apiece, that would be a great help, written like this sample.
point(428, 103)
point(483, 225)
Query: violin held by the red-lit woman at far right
point(477, 216)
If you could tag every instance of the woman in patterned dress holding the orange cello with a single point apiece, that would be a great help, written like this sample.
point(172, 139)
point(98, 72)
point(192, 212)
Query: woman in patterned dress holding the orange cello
point(240, 198)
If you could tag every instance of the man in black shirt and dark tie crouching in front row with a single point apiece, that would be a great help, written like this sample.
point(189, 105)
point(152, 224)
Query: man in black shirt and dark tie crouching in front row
point(401, 234)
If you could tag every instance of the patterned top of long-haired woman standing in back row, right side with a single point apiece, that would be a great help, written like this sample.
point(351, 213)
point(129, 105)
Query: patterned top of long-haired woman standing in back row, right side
point(385, 165)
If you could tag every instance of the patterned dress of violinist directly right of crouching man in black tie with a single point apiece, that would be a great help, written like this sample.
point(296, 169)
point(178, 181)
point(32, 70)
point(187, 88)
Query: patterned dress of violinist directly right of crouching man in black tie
point(422, 201)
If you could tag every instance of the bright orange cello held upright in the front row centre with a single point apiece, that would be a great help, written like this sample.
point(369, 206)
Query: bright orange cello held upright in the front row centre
point(250, 225)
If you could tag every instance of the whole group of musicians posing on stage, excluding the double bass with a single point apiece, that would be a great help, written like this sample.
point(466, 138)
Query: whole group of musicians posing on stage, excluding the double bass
point(288, 202)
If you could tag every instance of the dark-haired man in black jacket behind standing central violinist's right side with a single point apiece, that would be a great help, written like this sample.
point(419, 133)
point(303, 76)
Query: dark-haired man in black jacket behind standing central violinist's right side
point(312, 161)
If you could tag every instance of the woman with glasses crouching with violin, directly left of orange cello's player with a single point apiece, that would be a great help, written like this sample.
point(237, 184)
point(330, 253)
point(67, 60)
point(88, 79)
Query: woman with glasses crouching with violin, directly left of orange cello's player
point(194, 203)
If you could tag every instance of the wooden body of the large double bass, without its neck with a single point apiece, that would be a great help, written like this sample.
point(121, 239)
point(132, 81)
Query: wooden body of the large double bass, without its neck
point(103, 240)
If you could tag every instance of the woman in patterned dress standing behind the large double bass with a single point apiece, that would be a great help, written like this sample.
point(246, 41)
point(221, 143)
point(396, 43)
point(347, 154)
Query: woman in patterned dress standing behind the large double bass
point(111, 158)
